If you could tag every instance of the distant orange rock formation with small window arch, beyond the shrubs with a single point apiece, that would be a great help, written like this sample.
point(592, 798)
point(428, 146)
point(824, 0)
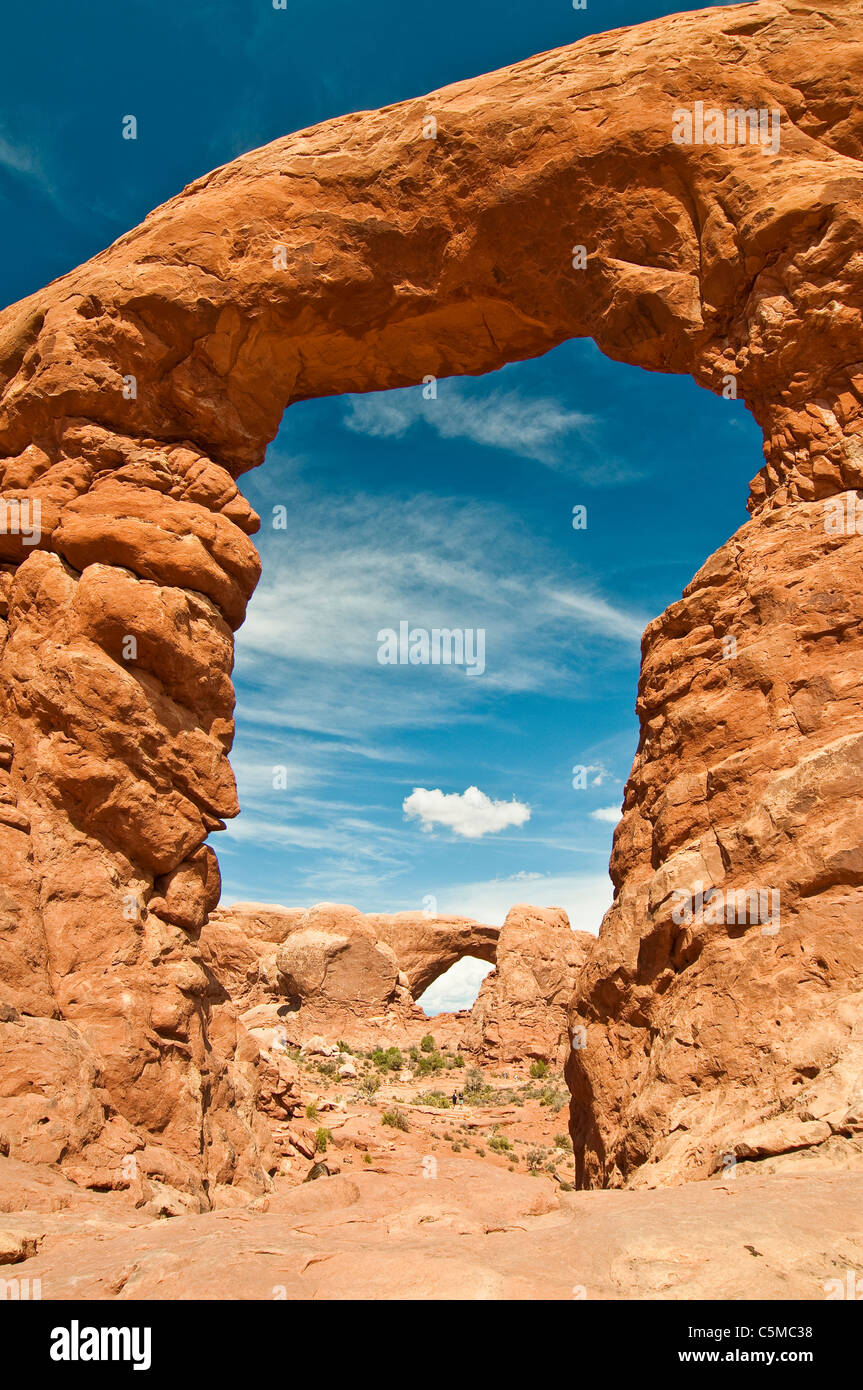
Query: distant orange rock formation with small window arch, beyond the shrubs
point(331, 972)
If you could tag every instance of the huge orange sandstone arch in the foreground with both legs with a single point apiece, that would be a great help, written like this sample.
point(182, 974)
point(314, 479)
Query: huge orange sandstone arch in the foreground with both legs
point(406, 258)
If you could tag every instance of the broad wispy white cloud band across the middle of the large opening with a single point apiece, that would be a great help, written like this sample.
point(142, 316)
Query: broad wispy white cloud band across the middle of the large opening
point(347, 568)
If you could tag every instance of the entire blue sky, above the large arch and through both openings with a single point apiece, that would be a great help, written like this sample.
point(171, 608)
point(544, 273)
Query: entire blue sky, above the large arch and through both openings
point(452, 512)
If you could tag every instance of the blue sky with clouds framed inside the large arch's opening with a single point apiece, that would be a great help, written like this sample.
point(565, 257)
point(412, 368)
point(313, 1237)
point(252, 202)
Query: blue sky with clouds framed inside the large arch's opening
point(458, 512)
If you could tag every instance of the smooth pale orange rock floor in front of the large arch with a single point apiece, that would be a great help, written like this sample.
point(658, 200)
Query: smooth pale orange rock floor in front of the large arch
point(387, 1234)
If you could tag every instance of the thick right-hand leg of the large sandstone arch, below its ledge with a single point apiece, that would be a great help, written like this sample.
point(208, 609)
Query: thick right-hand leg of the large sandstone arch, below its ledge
point(734, 1031)
